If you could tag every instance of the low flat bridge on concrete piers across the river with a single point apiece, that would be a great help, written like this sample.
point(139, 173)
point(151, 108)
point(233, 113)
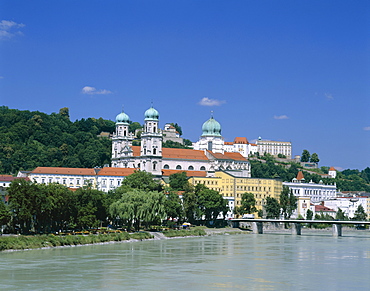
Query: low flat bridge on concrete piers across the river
point(257, 224)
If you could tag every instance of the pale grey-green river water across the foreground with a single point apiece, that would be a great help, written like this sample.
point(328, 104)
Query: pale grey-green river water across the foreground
point(313, 261)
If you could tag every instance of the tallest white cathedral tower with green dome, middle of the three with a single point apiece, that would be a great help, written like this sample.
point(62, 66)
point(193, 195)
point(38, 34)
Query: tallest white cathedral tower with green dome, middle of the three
point(151, 144)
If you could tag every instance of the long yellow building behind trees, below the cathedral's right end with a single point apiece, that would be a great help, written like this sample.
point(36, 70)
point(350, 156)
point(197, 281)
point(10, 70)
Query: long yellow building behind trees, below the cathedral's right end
point(232, 187)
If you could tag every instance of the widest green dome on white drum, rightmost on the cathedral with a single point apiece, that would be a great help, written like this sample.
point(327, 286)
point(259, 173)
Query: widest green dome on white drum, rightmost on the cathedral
point(211, 138)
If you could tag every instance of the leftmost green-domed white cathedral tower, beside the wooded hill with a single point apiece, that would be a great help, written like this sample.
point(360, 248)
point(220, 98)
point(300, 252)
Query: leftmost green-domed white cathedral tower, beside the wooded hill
point(122, 142)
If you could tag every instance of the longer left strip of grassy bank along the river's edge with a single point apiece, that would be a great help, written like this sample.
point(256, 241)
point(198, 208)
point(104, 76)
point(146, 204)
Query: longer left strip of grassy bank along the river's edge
point(40, 241)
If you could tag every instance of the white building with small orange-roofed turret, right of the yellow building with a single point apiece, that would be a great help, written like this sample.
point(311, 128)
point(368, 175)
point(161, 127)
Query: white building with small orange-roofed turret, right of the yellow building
point(316, 192)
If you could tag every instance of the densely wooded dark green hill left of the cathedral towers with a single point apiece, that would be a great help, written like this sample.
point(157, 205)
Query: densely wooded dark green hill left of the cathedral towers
point(32, 139)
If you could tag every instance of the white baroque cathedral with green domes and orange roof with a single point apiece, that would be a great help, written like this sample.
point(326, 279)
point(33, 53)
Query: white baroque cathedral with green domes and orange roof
point(207, 156)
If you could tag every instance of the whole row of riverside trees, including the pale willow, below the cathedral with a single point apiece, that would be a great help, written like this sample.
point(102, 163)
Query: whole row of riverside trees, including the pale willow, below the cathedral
point(139, 202)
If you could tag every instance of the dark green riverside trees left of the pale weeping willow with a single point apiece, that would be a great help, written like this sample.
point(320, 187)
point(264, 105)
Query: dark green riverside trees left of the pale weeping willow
point(50, 208)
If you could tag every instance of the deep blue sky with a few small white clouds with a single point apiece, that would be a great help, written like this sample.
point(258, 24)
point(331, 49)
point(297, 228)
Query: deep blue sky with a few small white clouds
point(284, 70)
